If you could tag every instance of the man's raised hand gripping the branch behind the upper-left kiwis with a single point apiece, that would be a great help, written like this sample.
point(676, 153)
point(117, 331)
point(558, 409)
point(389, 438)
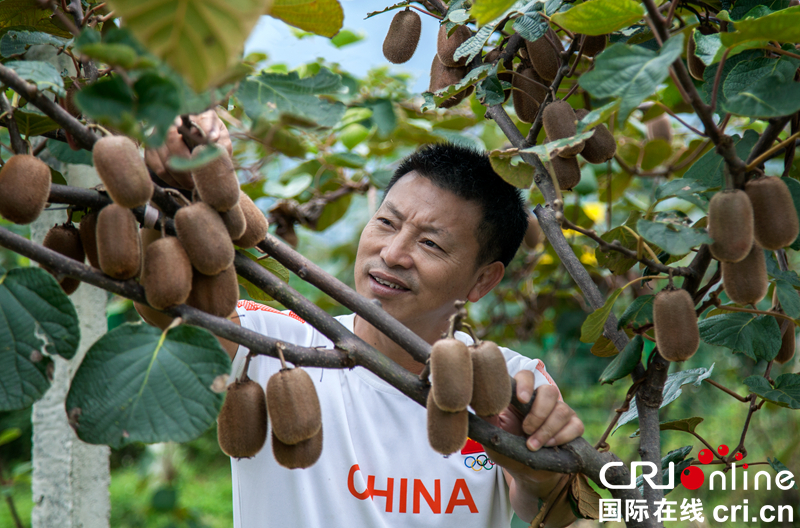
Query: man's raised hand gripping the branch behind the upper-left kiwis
point(157, 159)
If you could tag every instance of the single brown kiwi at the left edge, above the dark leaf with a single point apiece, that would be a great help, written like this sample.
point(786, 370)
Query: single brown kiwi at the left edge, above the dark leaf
point(24, 188)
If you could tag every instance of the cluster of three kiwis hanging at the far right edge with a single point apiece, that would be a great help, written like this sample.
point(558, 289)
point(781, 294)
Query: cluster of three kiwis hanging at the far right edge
point(742, 224)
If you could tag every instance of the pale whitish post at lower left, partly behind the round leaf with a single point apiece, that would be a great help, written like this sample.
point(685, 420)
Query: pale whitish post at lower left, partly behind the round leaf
point(70, 477)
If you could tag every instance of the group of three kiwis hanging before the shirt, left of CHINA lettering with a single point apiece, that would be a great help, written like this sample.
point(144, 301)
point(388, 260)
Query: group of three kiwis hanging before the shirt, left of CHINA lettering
point(290, 403)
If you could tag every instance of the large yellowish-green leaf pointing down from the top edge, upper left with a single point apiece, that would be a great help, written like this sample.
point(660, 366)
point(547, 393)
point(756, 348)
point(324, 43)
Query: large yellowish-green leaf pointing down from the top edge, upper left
point(200, 39)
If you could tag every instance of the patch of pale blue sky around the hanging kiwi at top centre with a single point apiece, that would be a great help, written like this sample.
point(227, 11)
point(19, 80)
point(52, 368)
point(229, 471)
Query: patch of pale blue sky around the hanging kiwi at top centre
point(273, 37)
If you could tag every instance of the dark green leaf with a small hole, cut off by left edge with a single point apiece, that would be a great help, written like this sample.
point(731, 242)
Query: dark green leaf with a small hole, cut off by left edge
point(36, 319)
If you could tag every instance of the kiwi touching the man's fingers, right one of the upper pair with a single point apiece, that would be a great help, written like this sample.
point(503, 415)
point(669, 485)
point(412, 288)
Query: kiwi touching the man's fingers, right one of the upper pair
point(491, 384)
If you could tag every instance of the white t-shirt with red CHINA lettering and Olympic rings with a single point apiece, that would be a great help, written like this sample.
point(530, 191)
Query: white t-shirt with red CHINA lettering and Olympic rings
point(376, 469)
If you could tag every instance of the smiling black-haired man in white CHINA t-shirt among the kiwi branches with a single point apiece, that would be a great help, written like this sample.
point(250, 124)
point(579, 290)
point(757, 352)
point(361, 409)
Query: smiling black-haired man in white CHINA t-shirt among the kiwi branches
point(446, 229)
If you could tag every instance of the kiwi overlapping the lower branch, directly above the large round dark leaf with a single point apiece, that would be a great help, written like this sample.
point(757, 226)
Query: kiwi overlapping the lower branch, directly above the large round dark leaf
point(167, 273)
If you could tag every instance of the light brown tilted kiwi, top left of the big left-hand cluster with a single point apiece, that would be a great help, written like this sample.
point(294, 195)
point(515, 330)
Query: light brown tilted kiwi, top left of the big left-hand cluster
point(123, 171)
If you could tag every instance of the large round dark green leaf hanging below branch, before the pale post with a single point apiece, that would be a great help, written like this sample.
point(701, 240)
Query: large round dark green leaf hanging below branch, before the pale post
point(137, 384)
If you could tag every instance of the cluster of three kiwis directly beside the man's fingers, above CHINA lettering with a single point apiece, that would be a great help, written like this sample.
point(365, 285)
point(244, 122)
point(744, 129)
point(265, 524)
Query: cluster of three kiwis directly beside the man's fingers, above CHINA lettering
point(461, 377)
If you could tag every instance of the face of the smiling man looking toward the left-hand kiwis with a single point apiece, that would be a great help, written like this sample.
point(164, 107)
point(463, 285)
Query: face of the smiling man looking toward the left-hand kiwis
point(417, 254)
